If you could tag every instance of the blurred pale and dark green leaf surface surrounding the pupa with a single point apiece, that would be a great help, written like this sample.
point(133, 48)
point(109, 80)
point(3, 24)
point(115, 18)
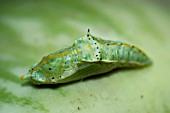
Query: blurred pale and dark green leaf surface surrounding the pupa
point(31, 29)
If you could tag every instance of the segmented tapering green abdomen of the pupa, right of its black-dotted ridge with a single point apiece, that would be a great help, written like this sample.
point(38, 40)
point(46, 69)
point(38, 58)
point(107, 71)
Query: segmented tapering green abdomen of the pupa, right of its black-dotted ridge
point(123, 54)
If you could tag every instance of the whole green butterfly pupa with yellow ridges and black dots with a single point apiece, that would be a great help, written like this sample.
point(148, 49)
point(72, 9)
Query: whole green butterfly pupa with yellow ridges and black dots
point(87, 56)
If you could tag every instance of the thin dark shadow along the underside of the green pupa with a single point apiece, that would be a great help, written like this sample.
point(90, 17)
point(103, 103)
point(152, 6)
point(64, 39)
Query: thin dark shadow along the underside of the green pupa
point(93, 77)
